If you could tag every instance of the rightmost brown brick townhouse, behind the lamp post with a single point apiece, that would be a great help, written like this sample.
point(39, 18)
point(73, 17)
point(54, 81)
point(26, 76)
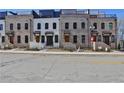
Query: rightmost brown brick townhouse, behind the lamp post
point(103, 29)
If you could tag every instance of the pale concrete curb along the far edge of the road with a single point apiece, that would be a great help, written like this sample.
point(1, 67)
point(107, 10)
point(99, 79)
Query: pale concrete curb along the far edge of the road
point(63, 53)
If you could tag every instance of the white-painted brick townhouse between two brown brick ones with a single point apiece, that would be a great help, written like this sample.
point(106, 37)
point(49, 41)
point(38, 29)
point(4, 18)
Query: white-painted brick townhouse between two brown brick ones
point(46, 33)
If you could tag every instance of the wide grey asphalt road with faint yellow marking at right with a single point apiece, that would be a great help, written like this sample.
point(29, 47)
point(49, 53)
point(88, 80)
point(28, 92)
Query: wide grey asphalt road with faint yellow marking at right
point(37, 68)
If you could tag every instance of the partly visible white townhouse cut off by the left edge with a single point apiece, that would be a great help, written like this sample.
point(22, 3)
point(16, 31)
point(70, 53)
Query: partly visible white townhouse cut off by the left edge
point(2, 33)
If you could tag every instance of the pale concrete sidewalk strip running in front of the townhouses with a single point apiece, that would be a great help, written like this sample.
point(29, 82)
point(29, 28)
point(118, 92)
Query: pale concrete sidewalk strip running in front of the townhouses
point(61, 53)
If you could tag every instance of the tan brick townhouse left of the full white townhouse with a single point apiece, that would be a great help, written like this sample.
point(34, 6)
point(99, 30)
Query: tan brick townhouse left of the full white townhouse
point(18, 30)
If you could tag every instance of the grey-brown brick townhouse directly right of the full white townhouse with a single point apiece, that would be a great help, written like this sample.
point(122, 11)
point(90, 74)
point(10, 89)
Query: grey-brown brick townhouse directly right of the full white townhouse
point(74, 29)
